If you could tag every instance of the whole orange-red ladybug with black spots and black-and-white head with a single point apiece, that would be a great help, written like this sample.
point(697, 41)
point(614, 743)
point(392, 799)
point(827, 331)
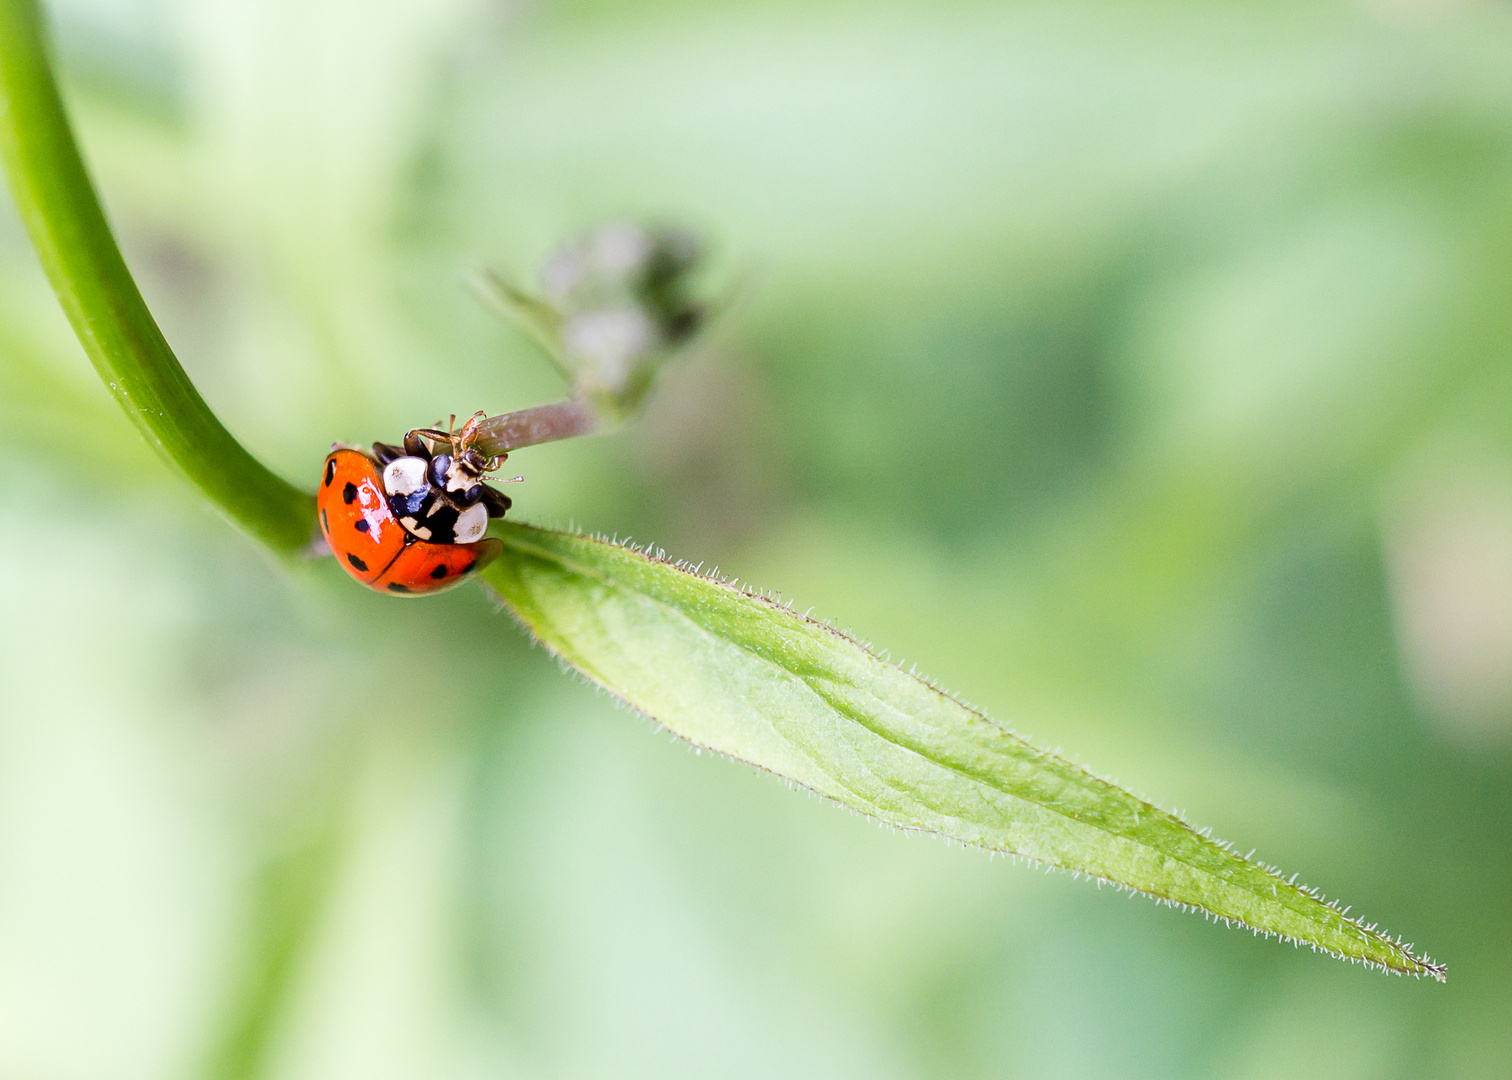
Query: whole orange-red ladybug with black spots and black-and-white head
point(411, 520)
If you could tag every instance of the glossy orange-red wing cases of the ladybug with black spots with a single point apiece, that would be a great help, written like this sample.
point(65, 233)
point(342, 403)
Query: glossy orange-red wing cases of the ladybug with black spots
point(374, 548)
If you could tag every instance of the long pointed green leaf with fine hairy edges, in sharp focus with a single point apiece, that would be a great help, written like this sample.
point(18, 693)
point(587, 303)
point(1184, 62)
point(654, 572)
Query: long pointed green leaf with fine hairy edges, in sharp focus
point(746, 677)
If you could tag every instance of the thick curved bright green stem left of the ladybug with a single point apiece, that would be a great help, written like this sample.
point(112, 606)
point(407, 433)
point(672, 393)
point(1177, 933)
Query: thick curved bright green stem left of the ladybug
point(73, 240)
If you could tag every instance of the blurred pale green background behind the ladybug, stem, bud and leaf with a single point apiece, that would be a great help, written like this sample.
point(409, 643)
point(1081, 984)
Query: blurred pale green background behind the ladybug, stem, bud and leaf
point(1141, 371)
